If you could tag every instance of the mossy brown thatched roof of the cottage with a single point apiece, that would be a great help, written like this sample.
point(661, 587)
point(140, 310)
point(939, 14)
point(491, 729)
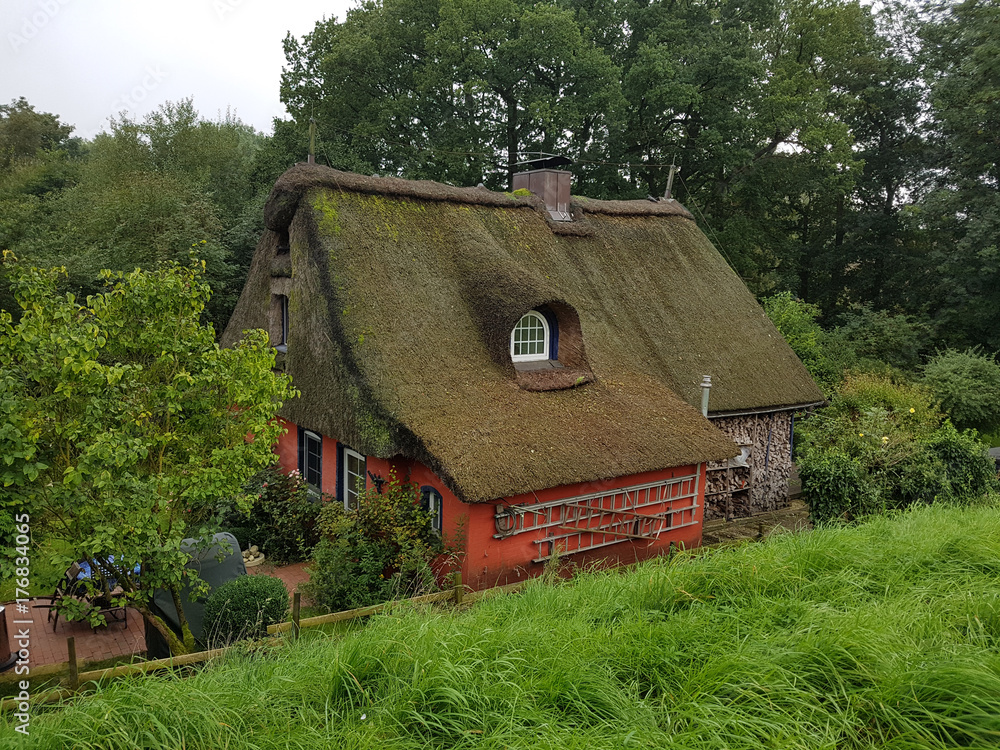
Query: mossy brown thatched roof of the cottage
point(404, 294)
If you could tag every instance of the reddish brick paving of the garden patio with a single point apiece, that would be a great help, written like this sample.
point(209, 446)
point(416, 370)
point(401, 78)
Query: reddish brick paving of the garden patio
point(48, 647)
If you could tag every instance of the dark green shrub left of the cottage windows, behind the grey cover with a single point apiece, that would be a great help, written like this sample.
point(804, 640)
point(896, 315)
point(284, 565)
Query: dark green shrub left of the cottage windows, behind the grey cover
point(283, 521)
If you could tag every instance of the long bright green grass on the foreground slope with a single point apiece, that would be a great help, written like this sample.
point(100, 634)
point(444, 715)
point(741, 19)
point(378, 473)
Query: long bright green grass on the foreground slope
point(886, 635)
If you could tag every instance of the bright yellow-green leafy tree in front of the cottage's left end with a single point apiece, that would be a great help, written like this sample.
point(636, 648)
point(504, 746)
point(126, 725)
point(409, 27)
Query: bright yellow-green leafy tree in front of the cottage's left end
point(124, 424)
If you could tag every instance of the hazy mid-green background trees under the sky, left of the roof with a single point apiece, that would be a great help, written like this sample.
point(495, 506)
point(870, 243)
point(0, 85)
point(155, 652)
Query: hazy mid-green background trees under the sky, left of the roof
point(145, 192)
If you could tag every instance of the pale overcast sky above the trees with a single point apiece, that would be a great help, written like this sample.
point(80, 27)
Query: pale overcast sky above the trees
point(86, 60)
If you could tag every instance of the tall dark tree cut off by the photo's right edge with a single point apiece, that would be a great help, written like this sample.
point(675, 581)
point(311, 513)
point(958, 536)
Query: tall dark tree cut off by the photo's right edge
point(962, 46)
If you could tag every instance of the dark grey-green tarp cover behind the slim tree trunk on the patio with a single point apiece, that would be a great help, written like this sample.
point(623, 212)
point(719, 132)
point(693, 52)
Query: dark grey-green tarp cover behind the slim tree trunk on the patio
point(210, 569)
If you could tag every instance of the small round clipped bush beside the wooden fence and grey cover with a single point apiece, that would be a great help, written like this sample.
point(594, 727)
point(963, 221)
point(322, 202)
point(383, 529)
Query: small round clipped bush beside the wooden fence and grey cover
point(243, 608)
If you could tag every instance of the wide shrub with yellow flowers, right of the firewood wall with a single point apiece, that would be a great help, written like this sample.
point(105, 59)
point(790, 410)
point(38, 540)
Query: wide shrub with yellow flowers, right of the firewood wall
point(882, 444)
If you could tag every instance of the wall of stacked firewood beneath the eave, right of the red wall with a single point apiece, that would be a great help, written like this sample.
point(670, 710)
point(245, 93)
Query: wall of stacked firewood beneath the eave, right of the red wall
point(761, 486)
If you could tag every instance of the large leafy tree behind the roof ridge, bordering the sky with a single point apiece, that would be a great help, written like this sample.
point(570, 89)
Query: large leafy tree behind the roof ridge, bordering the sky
point(454, 90)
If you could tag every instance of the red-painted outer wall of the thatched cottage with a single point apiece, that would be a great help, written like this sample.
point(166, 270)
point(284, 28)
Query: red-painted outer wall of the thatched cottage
point(488, 561)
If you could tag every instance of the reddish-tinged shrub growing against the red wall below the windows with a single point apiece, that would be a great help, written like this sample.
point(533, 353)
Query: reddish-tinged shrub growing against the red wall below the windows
point(381, 551)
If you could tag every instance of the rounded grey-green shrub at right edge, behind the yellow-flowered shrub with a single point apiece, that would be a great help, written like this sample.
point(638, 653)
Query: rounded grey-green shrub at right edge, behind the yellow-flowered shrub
point(967, 383)
